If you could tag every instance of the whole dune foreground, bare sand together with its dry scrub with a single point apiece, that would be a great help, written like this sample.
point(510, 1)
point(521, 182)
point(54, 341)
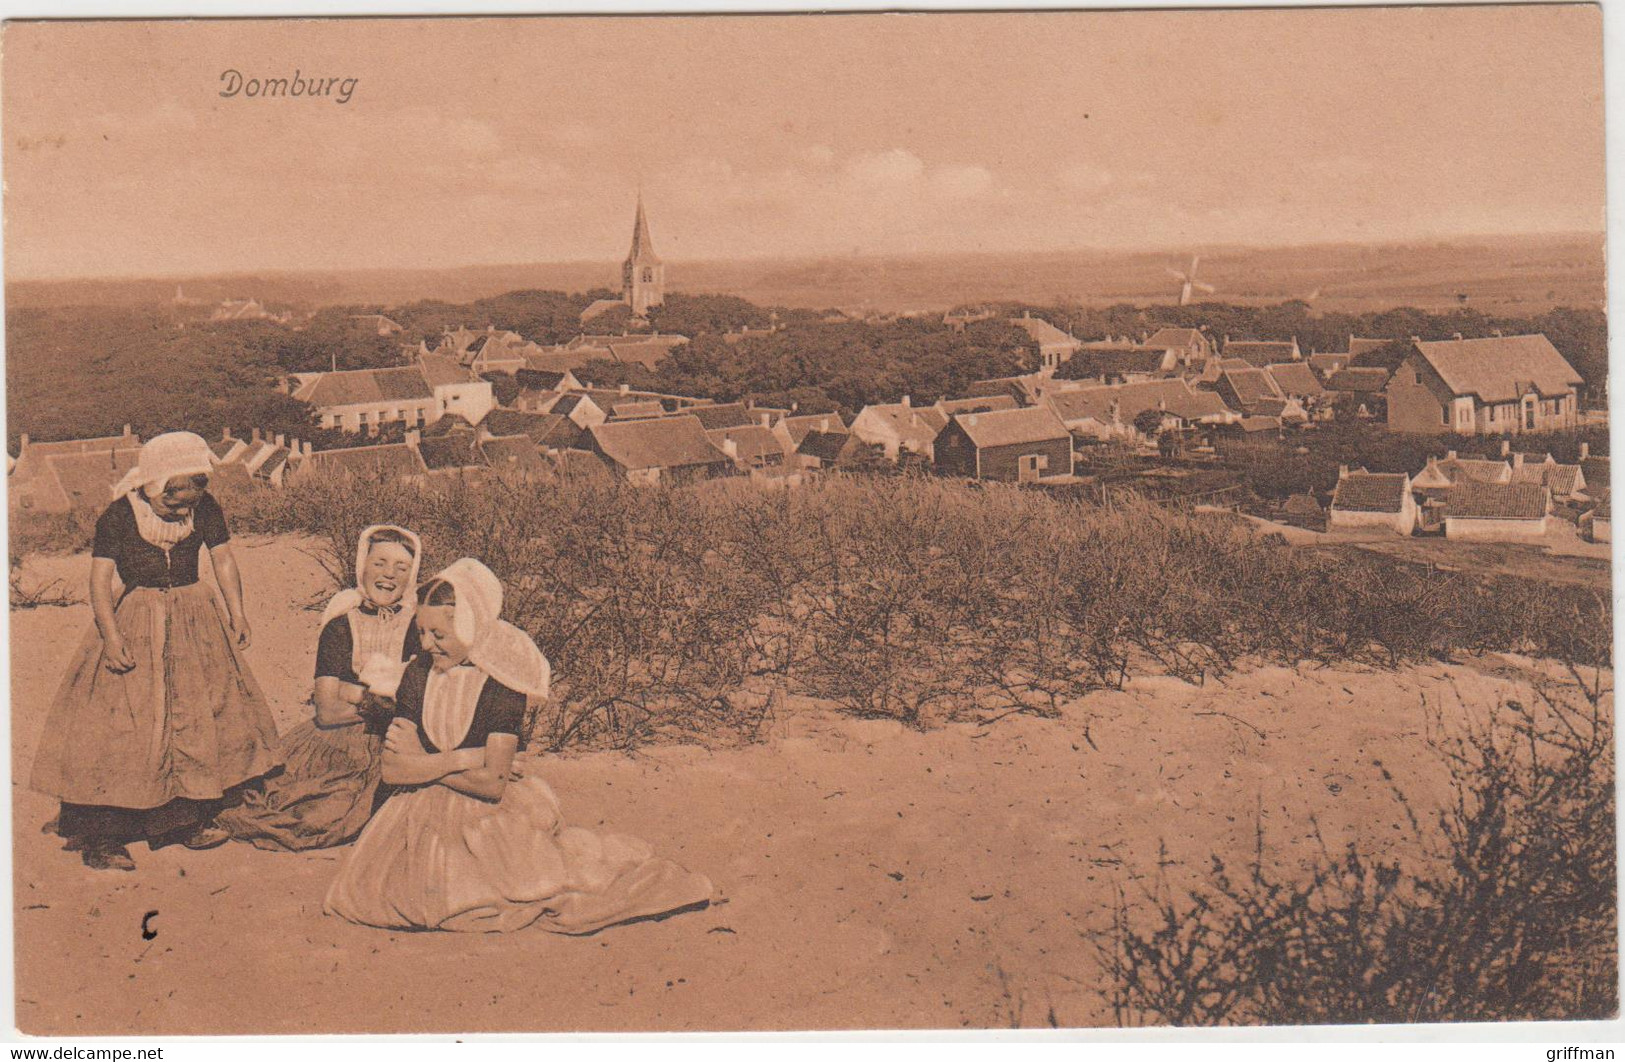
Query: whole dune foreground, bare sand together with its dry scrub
point(904, 835)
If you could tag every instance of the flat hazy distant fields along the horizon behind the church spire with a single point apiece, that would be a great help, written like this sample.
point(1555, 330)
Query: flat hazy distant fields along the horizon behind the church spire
point(1497, 275)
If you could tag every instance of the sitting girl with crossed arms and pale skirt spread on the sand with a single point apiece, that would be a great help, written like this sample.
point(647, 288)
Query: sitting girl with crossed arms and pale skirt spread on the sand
point(462, 844)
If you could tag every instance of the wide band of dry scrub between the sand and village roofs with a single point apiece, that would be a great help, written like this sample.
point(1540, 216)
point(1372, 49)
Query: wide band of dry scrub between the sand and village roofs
point(680, 613)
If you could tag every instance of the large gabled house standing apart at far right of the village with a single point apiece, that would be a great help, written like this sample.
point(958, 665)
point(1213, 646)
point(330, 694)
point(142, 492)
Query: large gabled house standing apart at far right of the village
point(1501, 386)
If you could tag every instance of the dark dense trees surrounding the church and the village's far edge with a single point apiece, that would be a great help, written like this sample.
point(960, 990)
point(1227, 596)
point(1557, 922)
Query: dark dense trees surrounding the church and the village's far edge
point(84, 371)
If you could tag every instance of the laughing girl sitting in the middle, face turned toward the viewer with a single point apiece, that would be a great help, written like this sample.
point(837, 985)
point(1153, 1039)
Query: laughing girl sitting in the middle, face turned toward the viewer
point(327, 788)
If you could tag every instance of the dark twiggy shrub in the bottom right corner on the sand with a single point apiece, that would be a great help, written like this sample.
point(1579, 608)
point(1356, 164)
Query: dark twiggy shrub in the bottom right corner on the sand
point(1510, 915)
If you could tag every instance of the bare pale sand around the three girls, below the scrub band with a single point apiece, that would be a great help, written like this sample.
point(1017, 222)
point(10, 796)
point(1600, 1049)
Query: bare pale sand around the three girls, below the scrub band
point(869, 876)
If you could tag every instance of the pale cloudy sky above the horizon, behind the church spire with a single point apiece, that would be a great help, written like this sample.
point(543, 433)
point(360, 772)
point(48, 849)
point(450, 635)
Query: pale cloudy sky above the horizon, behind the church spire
point(526, 140)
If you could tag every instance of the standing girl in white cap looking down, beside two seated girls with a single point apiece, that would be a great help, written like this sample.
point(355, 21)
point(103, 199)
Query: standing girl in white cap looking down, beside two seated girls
point(158, 717)
